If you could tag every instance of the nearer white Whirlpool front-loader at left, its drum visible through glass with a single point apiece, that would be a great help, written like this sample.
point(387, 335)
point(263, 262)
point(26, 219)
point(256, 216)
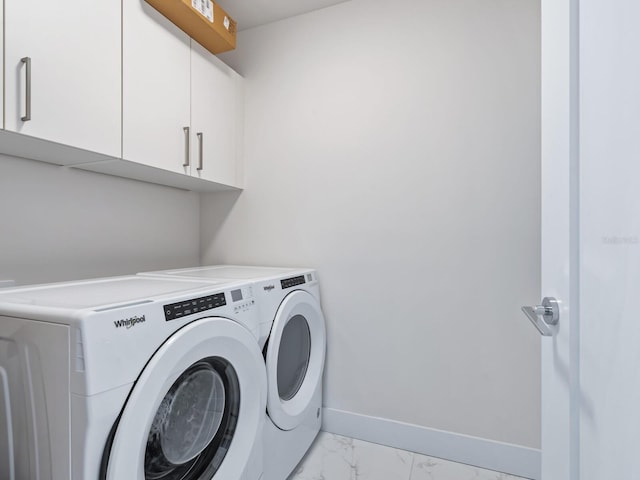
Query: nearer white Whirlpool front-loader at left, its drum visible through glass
point(131, 378)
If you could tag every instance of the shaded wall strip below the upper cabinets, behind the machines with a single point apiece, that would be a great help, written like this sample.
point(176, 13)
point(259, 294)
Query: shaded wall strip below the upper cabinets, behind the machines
point(60, 224)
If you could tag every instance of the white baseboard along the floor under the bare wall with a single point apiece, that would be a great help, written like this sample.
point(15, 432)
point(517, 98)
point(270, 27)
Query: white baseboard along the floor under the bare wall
point(479, 452)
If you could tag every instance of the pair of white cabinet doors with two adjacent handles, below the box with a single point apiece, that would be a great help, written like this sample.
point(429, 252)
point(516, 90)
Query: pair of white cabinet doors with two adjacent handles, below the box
point(182, 106)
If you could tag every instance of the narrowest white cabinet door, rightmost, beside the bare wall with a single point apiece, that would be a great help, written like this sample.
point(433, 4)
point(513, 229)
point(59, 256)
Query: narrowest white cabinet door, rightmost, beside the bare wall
point(216, 113)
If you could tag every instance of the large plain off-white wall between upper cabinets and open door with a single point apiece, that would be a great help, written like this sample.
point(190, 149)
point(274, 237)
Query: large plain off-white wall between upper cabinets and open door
point(395, 147)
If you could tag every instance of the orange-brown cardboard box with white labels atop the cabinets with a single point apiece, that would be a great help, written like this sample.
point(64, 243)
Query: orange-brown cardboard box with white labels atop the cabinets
point(203, 20)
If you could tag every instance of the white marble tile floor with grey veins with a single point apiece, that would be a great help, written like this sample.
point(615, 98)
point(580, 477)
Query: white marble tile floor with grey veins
point(334, 457)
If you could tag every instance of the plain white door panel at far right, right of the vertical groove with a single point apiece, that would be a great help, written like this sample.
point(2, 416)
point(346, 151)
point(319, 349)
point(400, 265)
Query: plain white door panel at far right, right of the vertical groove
point(610, 239)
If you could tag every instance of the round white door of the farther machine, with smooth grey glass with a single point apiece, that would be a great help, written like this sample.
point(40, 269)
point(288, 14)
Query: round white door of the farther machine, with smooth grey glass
point(295, 358)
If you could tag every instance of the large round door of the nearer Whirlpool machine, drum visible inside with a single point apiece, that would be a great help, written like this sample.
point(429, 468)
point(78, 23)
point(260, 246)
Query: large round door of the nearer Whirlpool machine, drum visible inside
point(196, 410)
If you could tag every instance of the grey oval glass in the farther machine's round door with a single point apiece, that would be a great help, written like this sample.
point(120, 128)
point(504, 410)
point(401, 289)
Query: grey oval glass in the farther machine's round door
point(293, 356)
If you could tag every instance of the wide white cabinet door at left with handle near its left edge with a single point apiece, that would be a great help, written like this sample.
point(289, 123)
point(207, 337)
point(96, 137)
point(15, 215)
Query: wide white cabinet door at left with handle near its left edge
point(73, 49)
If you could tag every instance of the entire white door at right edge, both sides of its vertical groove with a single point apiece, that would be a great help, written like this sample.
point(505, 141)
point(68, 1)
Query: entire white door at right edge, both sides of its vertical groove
point(591, 239)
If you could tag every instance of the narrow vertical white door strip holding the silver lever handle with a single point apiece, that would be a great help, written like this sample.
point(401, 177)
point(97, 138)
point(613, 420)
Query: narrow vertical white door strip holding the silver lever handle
point(559, 367)
